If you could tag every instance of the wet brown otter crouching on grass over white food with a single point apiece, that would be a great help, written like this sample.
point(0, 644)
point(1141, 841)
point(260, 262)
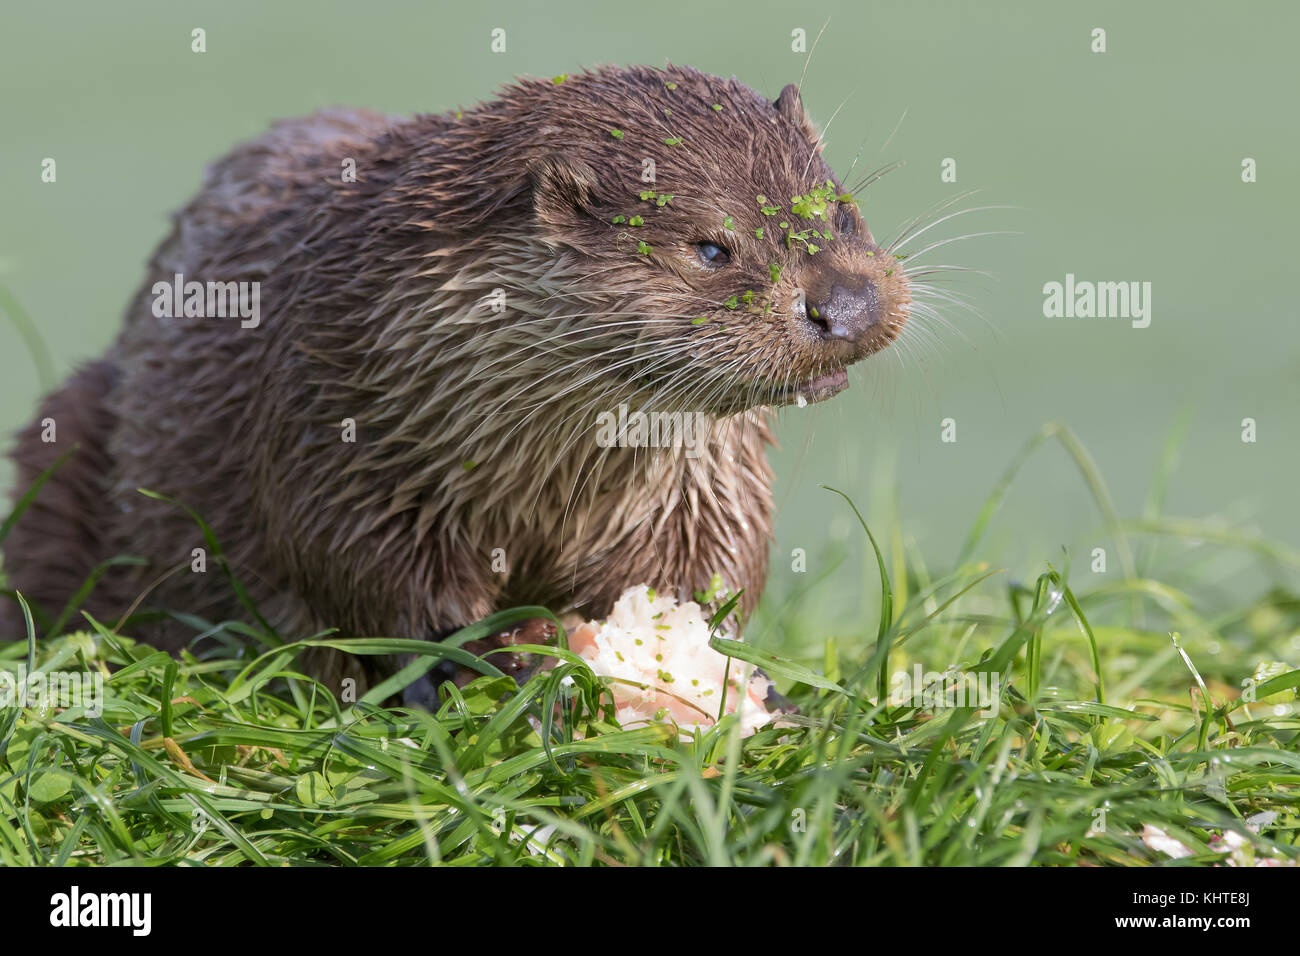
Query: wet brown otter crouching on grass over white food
point(405, 440)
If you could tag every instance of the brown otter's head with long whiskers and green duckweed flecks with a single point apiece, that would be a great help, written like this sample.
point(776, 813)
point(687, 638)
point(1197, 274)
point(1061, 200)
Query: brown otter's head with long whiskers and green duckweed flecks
point(708, 213)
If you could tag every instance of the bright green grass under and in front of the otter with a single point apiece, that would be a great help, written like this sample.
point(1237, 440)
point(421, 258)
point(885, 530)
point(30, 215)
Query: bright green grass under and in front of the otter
point(1121, 708)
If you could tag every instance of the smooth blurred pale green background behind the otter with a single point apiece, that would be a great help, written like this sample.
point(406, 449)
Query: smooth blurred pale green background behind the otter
point(1124, 166)
